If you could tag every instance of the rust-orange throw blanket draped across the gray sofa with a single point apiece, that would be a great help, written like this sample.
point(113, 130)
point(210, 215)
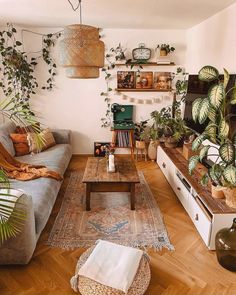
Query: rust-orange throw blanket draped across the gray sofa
point(22, 171)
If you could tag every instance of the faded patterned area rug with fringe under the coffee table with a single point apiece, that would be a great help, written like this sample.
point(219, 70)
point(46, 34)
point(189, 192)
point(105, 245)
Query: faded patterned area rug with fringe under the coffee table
point(110, 218)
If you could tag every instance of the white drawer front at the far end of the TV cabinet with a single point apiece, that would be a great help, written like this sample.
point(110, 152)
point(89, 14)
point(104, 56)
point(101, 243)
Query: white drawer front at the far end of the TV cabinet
point(166, 165)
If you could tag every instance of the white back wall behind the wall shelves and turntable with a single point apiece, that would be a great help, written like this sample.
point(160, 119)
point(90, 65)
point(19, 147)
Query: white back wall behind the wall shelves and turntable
point(77, 105)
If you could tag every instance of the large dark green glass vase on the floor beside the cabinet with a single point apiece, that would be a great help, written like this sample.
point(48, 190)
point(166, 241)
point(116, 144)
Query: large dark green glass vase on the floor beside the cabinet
point(226, 247)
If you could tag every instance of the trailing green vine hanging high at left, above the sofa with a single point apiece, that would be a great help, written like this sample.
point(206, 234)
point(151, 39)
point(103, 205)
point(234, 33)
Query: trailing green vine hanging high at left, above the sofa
point(18, 80)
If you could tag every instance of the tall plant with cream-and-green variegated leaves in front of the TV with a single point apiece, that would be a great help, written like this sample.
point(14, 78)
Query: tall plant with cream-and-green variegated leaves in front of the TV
point(213, 110)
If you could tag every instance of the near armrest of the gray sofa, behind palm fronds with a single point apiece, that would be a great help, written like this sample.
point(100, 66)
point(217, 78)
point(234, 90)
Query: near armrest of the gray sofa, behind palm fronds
point(19, 249)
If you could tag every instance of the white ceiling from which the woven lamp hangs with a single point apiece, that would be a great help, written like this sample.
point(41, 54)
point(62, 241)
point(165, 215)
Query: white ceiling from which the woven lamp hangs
point(133, 14)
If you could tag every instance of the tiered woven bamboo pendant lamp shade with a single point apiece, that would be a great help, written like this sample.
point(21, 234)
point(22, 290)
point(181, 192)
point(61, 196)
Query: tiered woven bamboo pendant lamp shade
point(81, 51)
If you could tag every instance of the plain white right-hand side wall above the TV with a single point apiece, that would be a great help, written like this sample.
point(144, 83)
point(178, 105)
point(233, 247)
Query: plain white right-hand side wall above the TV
point(213, 42)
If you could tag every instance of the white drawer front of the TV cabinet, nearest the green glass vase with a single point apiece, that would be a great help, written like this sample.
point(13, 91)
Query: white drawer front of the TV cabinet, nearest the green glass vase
point(200, 219)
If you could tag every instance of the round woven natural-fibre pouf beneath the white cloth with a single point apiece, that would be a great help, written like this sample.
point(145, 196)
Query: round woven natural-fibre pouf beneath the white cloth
point(140, 284)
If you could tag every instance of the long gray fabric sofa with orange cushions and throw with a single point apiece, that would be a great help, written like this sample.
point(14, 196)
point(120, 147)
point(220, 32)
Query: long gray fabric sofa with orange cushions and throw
point(39, 195)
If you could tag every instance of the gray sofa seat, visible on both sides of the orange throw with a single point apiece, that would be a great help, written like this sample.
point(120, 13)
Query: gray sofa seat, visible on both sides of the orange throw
point(44, 190)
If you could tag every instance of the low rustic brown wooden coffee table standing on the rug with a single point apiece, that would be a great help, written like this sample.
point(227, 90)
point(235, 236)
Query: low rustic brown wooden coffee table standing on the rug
point(97, 179)
